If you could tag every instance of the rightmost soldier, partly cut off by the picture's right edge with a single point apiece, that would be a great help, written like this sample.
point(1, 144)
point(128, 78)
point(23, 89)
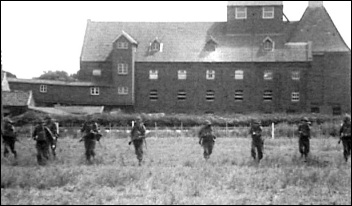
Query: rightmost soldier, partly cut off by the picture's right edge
point(345, 134)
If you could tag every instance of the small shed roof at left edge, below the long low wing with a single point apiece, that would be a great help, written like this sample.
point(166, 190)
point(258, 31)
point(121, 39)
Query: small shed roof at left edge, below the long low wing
point(16, 98)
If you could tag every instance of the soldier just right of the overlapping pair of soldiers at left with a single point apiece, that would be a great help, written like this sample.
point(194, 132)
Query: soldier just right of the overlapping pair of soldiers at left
point(91, 135)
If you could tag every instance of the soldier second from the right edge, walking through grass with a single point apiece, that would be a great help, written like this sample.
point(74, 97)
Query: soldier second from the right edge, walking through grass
point(304, 137)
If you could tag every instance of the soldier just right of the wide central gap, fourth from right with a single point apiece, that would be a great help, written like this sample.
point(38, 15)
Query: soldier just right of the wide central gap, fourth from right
point(207, 139)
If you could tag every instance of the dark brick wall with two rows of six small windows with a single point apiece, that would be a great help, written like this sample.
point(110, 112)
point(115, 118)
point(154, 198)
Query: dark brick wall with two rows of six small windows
point(224, 87)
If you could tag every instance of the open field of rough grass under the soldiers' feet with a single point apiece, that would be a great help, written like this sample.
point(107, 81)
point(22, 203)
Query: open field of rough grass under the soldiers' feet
point(174, 172)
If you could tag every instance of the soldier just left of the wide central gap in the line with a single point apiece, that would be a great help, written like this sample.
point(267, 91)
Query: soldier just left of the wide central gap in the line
point(138, 138)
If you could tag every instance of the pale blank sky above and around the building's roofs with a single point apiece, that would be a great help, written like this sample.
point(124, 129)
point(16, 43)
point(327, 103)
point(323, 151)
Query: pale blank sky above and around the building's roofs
point(42, 36)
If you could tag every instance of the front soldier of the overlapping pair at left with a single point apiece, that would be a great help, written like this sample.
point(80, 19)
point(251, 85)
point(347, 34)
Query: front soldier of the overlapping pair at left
point(43, 136)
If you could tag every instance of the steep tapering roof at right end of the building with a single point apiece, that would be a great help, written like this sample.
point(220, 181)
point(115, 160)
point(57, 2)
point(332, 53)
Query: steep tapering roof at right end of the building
point(317, 26)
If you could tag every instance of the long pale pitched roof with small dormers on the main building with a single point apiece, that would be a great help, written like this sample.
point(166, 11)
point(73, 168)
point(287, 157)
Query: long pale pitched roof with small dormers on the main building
point(185, 42)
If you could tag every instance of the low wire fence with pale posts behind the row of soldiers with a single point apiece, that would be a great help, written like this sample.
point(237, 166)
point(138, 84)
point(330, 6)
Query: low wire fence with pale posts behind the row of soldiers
point(282, 130)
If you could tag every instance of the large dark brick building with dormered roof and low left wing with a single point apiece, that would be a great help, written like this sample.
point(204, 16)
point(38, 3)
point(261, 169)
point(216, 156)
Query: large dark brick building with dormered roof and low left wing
point(253, 62)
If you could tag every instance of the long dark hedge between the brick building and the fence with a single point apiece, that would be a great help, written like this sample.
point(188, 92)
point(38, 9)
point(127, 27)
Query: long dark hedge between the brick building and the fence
point(178, 120)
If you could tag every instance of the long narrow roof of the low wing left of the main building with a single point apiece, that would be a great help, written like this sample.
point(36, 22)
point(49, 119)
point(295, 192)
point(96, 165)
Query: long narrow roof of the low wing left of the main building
point(52, 82)
